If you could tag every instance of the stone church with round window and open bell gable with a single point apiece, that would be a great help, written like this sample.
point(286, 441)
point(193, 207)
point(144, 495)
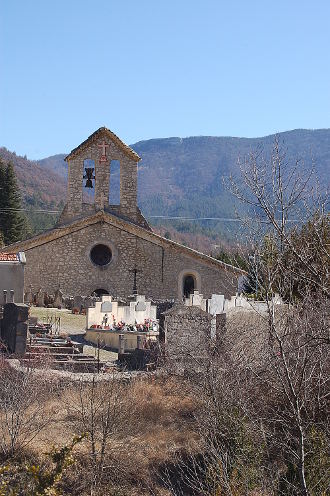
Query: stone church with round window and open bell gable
point(111, 249)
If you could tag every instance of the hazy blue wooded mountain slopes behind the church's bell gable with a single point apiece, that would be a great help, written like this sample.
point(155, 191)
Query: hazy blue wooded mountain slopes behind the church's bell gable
point(179, 177)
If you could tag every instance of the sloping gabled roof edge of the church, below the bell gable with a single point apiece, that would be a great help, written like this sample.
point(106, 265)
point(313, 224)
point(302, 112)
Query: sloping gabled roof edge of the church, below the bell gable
point(120, 223)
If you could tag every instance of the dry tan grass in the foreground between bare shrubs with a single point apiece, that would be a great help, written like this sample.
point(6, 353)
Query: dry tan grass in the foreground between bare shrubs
point(158, 422)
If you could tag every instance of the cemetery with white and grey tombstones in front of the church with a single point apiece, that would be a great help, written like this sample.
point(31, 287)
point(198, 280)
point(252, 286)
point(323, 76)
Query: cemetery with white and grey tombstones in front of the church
point(135, 328)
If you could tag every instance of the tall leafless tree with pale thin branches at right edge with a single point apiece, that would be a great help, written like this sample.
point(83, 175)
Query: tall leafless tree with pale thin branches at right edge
point(293, 261)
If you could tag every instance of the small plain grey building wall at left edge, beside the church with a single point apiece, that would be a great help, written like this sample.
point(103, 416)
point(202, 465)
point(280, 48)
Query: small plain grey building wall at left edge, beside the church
point(12, 278)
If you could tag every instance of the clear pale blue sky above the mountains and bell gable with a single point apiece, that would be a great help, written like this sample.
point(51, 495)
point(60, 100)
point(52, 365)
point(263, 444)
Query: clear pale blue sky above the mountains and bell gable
point(160, 68)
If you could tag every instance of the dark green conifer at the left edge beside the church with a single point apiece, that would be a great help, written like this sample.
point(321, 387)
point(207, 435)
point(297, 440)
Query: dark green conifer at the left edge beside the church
point(14, 224)
